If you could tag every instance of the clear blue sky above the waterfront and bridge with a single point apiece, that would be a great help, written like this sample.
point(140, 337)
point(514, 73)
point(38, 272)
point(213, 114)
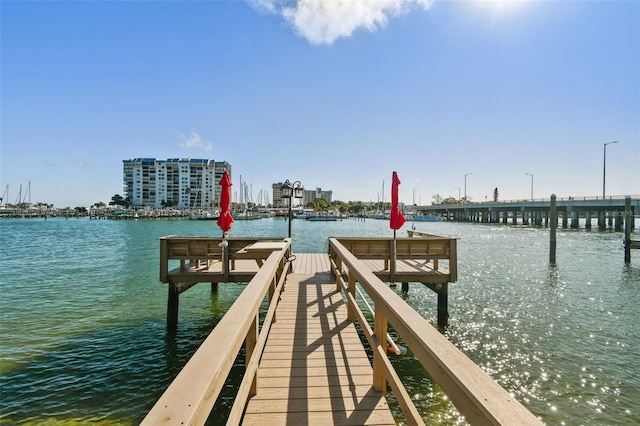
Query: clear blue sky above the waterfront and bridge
point(337, 95)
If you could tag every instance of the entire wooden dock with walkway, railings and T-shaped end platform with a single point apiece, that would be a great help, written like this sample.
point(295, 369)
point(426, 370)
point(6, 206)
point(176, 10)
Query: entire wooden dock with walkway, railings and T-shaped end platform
point(305, 363)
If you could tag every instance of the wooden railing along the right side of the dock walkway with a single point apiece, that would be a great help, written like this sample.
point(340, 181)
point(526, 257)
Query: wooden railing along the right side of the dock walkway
point(474, 393)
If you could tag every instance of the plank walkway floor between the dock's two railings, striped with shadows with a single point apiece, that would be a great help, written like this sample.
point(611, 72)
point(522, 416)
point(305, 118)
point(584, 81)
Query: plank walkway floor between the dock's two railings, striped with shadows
point(314, 369)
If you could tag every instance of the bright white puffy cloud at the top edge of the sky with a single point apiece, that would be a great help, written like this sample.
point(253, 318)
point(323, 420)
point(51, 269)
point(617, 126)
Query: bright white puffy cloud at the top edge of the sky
point(324, 21)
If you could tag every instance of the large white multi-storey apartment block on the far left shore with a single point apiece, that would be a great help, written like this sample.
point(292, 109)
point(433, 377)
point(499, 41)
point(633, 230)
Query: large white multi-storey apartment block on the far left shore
point(178, 182)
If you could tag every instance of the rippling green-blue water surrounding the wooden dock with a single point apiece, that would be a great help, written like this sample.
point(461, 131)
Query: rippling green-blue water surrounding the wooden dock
point(83, 335)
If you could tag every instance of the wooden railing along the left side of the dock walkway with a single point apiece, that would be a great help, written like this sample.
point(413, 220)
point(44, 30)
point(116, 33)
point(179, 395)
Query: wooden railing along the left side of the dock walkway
point(190, 397)
